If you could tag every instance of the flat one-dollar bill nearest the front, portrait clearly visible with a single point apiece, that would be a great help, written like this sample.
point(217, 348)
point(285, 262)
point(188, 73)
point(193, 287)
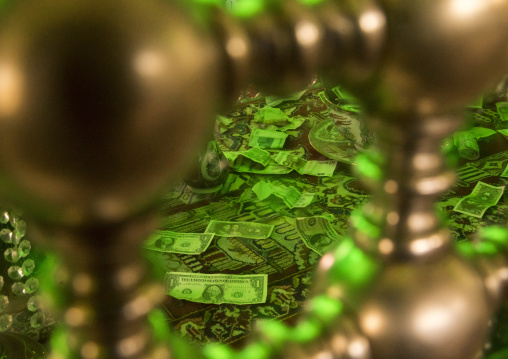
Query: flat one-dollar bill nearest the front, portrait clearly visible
point(217, 288)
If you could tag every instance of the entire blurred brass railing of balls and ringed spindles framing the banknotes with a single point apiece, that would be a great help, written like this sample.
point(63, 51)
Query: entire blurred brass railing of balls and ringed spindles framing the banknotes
point(89, 138)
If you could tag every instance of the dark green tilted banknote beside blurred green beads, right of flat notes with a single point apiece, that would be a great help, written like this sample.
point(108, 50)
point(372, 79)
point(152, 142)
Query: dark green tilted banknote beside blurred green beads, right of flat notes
point(317, 233)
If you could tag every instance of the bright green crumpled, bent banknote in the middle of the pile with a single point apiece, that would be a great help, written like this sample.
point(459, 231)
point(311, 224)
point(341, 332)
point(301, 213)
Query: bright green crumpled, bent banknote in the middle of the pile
point(289, 194)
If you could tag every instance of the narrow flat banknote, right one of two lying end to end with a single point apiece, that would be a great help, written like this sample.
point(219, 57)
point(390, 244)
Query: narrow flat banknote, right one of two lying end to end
point(250, 230)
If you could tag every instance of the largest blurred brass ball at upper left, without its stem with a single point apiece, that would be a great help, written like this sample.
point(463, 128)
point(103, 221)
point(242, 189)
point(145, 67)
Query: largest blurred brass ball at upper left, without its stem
point(96, 116)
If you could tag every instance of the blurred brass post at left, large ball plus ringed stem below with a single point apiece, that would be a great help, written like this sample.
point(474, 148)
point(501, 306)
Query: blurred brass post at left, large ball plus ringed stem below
point(95, 120)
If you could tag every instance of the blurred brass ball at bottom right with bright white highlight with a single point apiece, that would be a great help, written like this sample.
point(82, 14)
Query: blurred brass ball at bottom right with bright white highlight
point(428, 310)
